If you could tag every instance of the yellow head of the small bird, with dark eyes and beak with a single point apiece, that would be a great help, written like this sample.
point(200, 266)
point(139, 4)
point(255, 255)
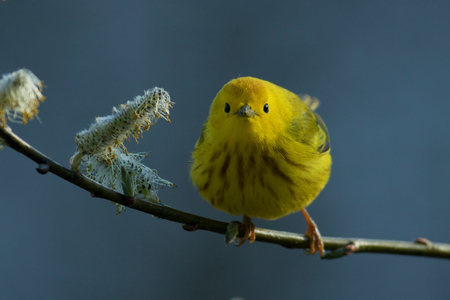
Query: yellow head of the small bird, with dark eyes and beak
point(248, 107)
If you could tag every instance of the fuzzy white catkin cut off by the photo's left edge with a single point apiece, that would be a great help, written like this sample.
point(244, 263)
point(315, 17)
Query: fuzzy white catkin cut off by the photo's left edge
point(20, 96)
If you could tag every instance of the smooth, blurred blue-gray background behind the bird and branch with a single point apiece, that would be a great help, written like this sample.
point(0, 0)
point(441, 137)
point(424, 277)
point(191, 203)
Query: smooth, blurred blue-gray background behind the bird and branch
point(380, 69)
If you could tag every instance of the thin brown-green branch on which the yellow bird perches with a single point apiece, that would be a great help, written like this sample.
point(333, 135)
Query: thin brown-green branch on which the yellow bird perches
point(339, 246)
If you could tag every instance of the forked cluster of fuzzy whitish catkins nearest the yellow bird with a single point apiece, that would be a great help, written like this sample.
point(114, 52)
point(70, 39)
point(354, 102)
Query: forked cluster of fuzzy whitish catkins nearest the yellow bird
point(102, 152)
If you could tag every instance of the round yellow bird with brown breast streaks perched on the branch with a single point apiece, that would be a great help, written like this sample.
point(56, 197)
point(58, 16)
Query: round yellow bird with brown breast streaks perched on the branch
point(263, 153)
